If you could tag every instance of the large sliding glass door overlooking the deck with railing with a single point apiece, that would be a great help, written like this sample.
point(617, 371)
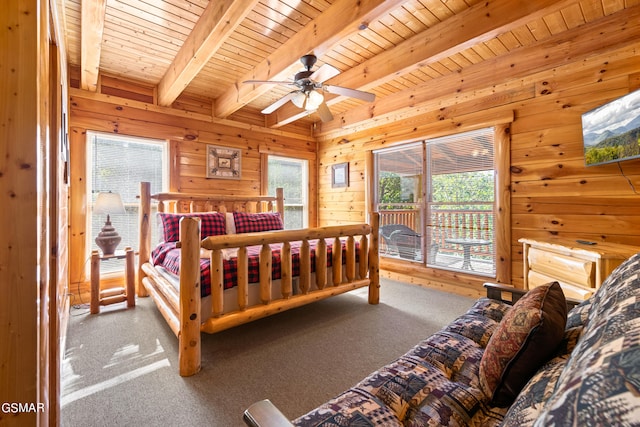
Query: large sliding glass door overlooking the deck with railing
point(437, 202)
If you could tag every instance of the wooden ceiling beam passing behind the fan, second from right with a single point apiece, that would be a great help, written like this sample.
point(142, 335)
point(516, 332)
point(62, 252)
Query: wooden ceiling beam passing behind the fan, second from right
point(479, 23)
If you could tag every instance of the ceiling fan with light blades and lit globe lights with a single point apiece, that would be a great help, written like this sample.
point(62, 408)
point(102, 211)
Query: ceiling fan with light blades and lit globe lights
point(308, 94)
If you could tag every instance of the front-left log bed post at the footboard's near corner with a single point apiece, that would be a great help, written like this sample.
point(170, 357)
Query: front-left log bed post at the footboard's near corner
point(189, 336)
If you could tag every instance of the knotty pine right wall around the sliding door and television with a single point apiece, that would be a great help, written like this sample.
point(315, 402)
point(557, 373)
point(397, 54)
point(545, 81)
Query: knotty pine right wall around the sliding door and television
point(552, 192)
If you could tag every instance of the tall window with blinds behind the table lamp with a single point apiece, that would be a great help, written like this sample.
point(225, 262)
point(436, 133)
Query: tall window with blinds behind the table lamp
point(118, 164)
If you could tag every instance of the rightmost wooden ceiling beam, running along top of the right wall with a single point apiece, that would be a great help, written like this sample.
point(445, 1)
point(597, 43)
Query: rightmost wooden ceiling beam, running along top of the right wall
point(580, 42)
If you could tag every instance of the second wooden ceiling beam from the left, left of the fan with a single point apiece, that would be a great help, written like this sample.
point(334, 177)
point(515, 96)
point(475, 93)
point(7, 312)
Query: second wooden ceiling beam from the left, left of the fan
point(217, 23)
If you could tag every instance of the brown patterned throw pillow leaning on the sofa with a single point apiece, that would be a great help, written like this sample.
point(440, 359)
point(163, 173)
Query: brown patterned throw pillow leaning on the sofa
point(525, 339)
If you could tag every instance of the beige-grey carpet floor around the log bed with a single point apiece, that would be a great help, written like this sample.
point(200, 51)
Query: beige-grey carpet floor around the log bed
point(121, 367)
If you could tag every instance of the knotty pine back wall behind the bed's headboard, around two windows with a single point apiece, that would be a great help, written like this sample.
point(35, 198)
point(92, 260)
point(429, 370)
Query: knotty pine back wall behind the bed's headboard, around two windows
point(189, 127)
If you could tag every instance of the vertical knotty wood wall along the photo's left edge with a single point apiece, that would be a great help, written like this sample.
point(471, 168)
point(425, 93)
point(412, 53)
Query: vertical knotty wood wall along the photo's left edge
point(32, 277)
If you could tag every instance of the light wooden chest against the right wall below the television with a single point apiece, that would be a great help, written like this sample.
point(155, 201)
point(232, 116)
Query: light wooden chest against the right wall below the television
point(579, 268)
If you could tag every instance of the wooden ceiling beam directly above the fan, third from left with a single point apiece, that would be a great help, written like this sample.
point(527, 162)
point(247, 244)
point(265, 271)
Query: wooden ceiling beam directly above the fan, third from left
point(339, 21)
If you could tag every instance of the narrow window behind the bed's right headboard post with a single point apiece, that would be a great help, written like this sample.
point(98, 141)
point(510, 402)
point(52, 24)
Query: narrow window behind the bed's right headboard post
point(292, 175)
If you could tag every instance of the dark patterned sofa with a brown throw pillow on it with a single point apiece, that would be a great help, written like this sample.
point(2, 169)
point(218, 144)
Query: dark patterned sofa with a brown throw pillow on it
point(502, 364)
